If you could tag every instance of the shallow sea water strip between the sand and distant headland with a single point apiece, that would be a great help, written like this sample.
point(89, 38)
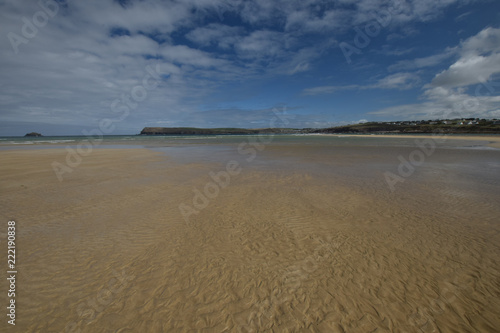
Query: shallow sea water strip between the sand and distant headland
point(352, 157)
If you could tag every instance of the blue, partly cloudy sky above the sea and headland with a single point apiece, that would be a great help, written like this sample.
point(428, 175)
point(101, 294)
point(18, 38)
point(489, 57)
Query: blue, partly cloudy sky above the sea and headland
point(72, 67)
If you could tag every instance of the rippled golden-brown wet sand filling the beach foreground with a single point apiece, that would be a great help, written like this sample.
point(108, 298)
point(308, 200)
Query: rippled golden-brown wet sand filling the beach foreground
point(304, 238)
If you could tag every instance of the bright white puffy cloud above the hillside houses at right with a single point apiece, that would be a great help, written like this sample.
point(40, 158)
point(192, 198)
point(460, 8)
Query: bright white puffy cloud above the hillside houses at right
point(464, 89)
